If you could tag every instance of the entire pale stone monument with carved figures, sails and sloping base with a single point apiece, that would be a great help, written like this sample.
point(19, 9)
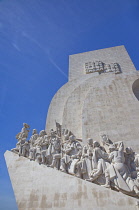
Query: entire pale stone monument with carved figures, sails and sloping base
point(95, 143)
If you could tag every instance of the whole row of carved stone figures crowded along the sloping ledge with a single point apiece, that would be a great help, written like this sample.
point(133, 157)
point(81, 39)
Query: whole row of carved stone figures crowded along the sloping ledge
point(109, 165)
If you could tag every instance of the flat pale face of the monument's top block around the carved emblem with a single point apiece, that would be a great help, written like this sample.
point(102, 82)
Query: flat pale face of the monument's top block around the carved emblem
point(109, 55)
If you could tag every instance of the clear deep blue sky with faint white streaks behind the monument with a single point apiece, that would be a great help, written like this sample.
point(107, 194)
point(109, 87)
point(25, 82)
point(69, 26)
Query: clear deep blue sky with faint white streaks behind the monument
point(36, 38)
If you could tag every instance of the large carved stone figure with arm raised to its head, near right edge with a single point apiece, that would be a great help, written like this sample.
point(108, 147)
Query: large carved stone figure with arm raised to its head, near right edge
point(117, 172)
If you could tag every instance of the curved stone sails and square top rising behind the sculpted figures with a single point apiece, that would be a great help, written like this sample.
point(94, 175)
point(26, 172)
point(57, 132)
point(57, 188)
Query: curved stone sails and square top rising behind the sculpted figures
point(101, 96)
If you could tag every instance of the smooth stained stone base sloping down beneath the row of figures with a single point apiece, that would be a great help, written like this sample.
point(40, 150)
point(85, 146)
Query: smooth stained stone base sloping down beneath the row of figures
point(38, 187)
